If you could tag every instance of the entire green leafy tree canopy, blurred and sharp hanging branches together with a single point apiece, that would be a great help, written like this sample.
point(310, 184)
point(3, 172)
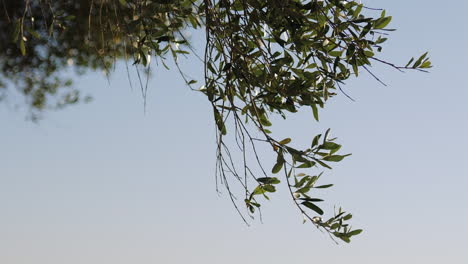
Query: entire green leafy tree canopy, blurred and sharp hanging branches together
point(262, 58)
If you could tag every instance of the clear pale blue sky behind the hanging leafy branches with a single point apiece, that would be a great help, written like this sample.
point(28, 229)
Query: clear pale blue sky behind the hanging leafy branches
point(105, 183)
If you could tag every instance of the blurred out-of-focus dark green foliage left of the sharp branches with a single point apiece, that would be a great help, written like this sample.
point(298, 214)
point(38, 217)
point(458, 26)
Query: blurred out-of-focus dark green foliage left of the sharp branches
point(39, 39)
